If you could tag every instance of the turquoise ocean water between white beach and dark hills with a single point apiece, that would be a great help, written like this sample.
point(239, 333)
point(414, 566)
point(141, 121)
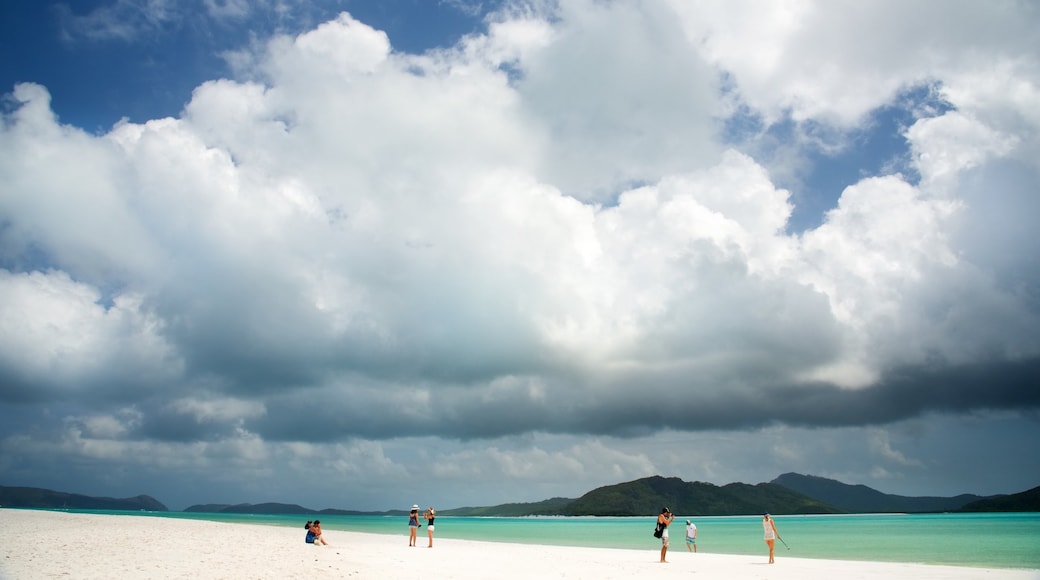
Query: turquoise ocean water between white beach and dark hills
point(974, 540)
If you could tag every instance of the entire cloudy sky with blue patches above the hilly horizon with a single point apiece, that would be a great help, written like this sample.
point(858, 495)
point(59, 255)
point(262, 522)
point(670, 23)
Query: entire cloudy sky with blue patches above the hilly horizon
point(366, 254)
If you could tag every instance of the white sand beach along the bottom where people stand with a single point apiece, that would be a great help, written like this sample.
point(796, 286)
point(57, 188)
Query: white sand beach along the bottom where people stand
point(39, 544)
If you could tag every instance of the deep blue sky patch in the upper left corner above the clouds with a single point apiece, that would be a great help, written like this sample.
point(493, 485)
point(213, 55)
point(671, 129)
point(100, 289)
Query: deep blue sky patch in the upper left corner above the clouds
point(106, 62)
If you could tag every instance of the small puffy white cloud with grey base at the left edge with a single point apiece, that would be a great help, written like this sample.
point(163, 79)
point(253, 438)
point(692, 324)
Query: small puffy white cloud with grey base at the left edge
point(59, 341)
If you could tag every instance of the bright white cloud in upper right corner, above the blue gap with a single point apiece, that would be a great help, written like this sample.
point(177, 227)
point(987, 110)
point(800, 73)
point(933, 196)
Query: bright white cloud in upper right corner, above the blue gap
point(836, 62)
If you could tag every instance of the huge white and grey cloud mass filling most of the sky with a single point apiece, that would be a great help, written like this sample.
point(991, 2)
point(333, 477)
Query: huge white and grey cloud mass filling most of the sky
point(537, 232)
